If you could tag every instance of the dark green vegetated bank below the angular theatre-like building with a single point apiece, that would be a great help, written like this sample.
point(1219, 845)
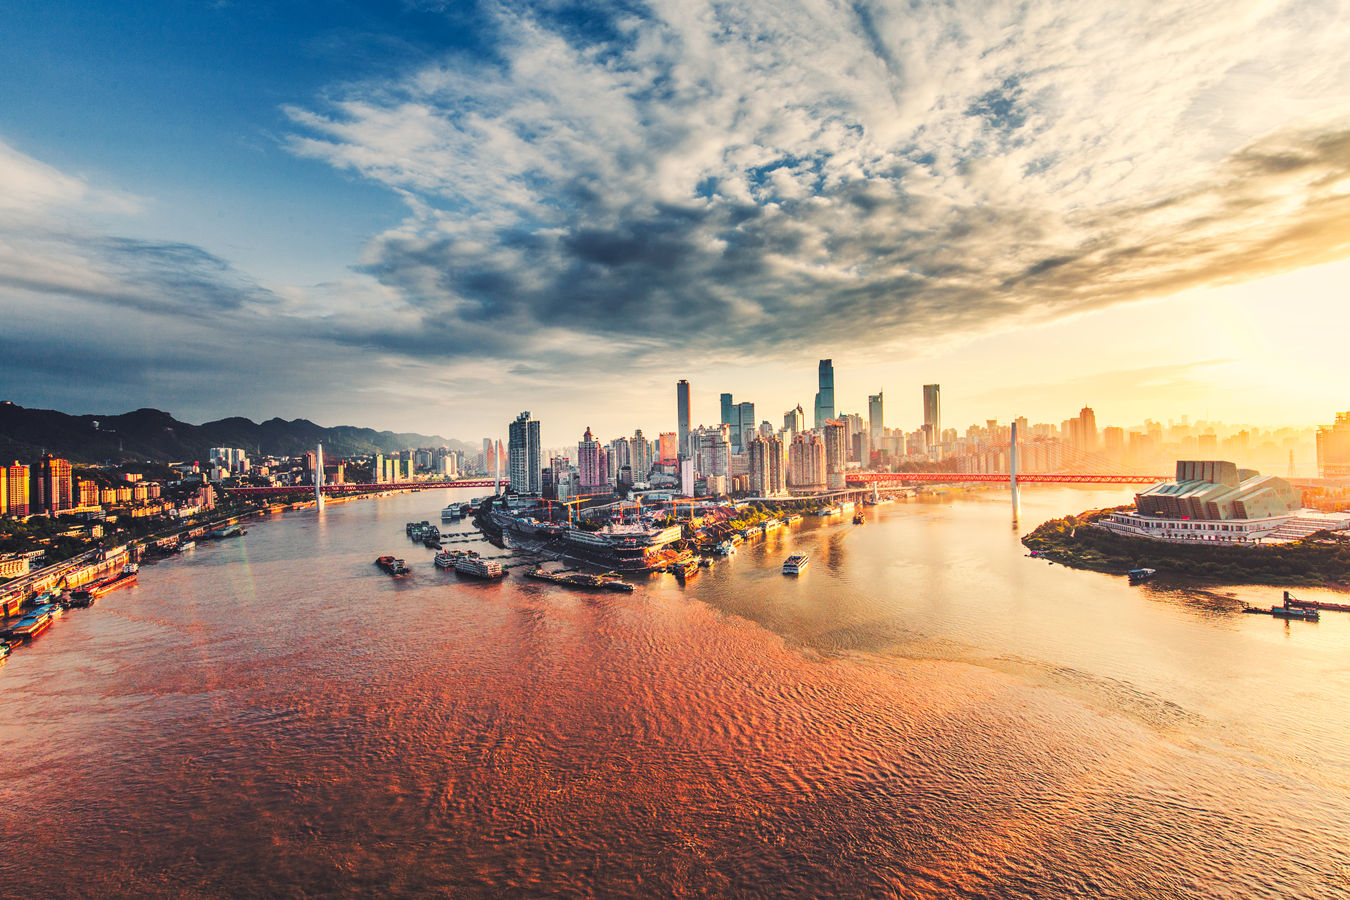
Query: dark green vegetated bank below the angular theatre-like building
point(1077, 542)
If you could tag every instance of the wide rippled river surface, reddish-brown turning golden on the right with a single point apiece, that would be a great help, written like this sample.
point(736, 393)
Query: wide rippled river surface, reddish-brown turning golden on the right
point(925, 712)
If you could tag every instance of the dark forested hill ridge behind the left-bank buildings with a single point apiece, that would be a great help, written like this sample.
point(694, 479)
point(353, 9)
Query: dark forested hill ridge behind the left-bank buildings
point(155, 435)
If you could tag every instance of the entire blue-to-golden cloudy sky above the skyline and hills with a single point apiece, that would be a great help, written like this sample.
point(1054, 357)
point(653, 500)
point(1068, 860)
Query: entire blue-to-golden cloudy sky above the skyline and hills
point(430, 217)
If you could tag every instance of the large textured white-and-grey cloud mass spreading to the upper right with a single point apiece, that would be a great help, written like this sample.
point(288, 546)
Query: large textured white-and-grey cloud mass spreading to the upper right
point(774, 177)
